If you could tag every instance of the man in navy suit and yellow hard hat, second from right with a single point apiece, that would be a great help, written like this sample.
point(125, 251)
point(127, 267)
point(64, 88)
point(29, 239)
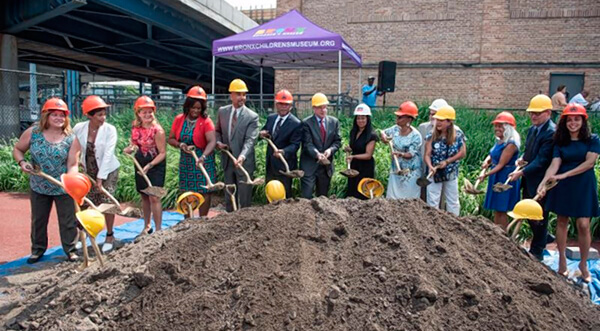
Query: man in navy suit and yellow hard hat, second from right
point(538, 155)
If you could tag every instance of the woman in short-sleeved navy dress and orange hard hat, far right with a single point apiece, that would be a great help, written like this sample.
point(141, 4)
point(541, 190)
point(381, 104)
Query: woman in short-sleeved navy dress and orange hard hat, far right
point(575, 153)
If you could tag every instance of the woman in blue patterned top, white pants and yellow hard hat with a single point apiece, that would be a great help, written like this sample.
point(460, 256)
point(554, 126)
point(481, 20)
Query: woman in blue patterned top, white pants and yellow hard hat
point(444, 148)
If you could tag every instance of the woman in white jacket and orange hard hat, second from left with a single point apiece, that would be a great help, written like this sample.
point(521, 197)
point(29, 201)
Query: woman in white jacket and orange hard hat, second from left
point(98, 140)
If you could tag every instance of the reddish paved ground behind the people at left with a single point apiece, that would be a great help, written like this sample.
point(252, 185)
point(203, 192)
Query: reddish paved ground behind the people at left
point(15, 222)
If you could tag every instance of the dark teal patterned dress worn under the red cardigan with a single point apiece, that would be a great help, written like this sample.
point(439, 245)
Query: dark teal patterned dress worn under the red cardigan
point(190, 176)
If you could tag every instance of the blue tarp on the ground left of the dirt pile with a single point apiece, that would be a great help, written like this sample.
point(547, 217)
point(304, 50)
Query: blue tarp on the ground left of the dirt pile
point(125, 233)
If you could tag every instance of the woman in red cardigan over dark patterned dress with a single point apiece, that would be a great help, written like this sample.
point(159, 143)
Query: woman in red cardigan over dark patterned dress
point(195, 128)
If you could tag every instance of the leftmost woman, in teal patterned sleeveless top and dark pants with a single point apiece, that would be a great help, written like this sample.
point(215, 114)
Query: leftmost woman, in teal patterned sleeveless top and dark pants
point(53, 147)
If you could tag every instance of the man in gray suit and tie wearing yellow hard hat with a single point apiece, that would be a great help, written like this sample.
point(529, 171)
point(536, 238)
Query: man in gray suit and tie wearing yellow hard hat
point(237, 130)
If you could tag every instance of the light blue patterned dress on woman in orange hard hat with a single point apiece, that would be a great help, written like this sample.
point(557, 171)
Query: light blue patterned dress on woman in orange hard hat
point(405, 186)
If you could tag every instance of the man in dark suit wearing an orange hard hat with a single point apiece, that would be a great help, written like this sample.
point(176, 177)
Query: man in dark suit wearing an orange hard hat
point(285, 131)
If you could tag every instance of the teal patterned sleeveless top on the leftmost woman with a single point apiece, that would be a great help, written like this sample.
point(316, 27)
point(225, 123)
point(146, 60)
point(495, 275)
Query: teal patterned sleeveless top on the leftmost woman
point(51, 158)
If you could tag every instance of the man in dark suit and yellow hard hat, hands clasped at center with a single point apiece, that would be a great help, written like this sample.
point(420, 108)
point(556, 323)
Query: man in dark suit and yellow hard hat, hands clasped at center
point(320, 140)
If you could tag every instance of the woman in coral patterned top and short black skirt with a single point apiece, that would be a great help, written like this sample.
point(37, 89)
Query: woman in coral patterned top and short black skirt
point(149, 138)
